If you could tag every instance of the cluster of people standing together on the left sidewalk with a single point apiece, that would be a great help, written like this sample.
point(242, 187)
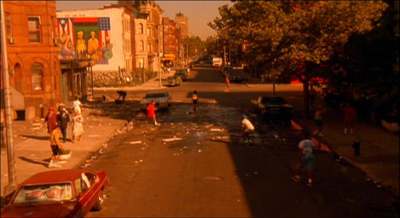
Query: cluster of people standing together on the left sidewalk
point(57, 127)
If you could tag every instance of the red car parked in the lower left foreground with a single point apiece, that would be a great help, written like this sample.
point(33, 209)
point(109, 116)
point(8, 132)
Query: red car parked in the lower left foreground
point(60, 193)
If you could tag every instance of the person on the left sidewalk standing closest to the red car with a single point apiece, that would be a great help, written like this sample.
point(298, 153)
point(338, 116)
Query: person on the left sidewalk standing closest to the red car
point(59, 154)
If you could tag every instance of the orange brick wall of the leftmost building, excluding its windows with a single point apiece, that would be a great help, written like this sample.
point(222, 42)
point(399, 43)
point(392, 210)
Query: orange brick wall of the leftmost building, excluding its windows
point(24, 53)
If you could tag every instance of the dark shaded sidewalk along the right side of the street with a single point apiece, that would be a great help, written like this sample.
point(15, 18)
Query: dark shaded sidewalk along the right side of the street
point(379, 157)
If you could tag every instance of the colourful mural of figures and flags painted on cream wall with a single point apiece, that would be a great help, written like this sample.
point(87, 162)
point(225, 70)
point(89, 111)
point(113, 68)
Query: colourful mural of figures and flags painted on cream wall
point(85, 37)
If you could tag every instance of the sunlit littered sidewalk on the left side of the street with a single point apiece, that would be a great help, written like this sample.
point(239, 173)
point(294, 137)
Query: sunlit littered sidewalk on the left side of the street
point(32, 149)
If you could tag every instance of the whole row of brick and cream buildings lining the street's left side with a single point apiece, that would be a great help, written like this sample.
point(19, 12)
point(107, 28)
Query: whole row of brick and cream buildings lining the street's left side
point(52, 54)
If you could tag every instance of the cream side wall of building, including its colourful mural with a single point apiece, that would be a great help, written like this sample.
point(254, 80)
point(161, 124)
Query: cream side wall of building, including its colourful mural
point(103, 35)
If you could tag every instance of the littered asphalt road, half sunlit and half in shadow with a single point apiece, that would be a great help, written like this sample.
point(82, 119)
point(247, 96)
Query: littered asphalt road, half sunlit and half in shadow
point(196, 174)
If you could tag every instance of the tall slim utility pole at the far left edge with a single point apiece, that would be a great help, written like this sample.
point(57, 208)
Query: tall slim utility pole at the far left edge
point(7, 102)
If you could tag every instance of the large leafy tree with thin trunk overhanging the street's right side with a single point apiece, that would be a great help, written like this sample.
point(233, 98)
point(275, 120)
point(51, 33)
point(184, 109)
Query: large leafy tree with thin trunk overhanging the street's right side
point(296, 34)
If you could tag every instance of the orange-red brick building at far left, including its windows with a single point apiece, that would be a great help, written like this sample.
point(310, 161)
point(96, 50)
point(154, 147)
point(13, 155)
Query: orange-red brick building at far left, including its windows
point(32, 56)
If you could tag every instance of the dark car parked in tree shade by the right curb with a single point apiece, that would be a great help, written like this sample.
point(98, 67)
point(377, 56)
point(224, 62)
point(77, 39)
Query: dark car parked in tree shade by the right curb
point(274, 108)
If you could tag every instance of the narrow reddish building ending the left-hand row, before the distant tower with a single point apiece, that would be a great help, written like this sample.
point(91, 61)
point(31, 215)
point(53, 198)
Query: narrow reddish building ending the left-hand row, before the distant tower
point(171, 46)
